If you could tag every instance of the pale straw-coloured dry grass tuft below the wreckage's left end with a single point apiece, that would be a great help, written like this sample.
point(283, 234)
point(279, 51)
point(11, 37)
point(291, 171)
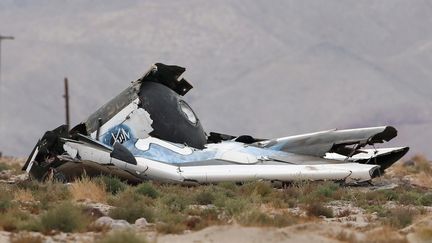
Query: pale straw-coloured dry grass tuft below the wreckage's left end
point(86, 189)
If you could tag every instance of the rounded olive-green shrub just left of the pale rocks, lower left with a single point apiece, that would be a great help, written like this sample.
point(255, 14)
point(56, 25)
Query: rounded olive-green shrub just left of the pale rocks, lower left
point(64, 217)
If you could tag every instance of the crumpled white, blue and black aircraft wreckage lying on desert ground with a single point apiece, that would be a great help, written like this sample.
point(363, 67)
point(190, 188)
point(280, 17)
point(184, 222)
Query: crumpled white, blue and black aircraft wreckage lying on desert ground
point(148, 132)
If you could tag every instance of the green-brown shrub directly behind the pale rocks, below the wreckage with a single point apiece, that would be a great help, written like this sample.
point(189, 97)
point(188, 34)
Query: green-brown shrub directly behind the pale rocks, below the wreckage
point(130, 206)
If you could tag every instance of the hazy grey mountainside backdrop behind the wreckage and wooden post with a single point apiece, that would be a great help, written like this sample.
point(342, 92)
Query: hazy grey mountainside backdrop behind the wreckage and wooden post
point(265, 68)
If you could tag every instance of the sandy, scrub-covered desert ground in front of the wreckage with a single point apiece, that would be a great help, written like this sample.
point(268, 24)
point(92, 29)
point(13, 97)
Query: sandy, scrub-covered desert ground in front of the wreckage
point(396, 207)
